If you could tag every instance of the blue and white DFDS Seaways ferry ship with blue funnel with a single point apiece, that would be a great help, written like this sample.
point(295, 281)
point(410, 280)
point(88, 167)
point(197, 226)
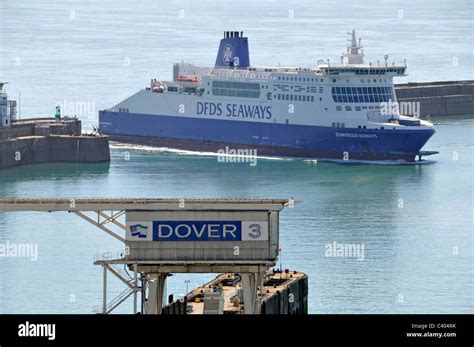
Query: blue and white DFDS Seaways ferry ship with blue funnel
point(345, 111)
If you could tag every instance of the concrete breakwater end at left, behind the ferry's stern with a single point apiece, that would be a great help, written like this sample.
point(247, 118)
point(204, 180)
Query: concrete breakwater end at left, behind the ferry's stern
point(36, 141)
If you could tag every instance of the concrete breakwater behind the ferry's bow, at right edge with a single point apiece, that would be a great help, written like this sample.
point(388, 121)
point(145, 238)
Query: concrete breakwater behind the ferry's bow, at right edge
point(449, 98)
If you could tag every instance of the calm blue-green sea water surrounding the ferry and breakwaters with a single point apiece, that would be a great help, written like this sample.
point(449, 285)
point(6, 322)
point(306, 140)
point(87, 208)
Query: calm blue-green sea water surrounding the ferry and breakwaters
point(418, 254)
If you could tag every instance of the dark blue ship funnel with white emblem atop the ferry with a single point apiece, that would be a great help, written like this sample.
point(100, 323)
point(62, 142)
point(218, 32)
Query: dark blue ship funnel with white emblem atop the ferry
point(233, 51)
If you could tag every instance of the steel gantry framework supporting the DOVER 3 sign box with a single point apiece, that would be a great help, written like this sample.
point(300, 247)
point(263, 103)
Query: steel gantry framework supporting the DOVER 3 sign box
point(108, 214)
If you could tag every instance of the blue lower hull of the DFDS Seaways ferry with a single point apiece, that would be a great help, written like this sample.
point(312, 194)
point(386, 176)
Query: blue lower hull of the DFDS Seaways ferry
point(272, 139)
